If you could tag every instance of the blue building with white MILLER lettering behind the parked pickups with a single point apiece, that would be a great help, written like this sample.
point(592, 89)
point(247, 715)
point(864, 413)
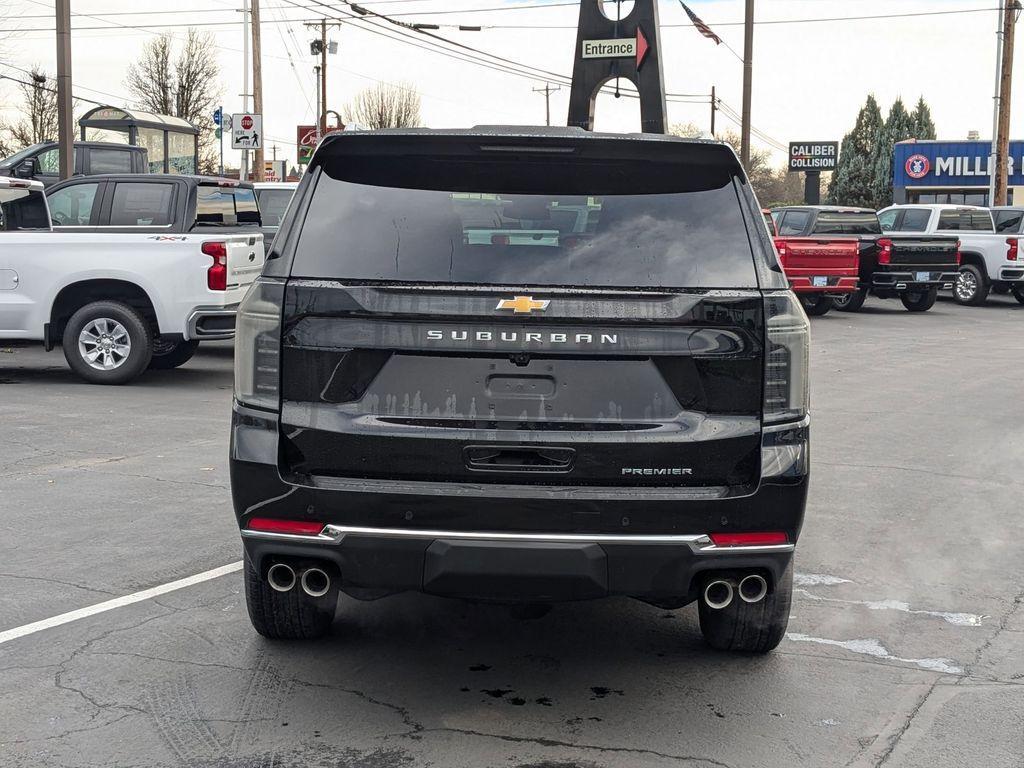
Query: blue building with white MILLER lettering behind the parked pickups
point(952, 173)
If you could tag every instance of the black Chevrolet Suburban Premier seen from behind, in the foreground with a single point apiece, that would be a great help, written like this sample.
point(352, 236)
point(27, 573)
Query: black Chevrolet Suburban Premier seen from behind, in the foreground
point(523, 366)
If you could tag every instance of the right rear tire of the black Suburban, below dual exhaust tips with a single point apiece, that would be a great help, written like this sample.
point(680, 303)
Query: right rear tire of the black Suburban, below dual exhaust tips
point(753, 628)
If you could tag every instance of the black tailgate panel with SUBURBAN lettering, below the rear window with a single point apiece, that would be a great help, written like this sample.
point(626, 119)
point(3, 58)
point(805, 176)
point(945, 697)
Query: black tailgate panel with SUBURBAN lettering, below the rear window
point(425, 386)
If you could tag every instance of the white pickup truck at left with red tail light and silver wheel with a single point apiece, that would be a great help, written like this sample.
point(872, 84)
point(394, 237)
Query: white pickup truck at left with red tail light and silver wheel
point(118, 303)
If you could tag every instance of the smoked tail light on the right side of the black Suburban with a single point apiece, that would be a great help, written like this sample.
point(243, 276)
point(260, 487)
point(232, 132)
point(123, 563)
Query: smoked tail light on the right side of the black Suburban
point(787, 360)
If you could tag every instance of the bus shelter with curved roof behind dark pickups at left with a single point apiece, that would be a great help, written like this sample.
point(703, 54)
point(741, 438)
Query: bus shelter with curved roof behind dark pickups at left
point(173, 143)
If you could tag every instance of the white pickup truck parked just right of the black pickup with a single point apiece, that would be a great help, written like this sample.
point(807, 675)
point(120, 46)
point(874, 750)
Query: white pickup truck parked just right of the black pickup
point(991, 261)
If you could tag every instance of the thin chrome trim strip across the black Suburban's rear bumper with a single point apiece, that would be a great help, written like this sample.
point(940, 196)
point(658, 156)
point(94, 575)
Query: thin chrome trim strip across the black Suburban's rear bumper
point(700, 544)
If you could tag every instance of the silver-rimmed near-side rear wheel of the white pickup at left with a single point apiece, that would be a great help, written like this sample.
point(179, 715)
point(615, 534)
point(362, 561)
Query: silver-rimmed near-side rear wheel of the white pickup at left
point(108, 343)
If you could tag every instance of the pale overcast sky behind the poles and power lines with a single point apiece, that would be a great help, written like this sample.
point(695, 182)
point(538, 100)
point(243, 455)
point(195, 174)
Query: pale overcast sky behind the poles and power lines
point(809, 78)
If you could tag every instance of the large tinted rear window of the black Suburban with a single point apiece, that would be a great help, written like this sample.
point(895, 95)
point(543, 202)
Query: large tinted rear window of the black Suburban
point(553, 228)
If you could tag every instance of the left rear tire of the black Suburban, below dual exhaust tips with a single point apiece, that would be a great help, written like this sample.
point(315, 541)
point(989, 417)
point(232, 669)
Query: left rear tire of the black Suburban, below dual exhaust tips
point(287, 616)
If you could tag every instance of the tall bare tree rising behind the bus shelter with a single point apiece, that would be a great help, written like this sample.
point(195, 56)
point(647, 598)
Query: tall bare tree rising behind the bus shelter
point(184, 86)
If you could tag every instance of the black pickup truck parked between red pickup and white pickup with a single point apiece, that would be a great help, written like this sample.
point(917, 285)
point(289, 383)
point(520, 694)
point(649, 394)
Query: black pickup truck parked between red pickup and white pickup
point(912, 268)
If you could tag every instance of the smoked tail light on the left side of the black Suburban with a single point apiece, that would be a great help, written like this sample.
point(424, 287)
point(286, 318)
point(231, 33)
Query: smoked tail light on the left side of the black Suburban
point(258, 346)
